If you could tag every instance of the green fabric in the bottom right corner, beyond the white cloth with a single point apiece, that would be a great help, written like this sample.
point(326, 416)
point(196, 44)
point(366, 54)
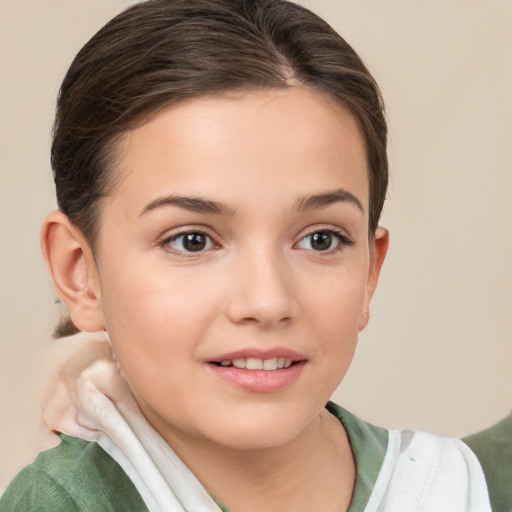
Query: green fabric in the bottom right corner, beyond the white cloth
point(493, 447)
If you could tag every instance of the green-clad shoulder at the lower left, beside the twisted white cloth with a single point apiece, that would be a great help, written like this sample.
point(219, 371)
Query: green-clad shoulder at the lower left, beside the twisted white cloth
point(76, 476)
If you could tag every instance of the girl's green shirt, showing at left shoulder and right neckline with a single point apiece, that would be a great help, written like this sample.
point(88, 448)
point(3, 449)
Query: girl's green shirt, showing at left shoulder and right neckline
point(79, 476)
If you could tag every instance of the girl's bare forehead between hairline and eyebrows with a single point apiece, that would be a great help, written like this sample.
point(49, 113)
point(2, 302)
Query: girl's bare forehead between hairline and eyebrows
point(249, 140)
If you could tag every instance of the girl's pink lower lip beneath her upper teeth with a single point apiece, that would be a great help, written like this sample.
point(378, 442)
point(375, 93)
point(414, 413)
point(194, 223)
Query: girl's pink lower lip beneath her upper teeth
point(260, 381)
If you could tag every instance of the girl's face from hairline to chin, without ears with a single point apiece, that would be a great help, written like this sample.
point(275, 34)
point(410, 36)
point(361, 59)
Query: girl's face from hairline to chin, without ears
point(234, 264)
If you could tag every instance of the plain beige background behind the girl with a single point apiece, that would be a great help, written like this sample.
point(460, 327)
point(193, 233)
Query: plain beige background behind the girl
point(437, 354)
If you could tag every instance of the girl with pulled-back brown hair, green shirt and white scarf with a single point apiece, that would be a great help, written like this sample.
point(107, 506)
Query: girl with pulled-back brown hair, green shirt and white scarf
point(220, 168)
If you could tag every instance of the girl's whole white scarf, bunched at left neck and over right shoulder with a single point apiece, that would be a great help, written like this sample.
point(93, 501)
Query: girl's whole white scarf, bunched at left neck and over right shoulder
point(420, 473)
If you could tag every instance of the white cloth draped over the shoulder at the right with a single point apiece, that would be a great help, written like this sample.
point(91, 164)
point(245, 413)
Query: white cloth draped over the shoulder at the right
point(426, 473)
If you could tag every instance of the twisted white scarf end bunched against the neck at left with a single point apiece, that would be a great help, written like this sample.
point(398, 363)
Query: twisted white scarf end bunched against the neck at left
point(99, 406)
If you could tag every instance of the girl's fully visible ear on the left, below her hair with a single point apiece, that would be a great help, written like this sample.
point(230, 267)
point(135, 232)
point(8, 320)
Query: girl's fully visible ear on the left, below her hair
point(72, 267)
